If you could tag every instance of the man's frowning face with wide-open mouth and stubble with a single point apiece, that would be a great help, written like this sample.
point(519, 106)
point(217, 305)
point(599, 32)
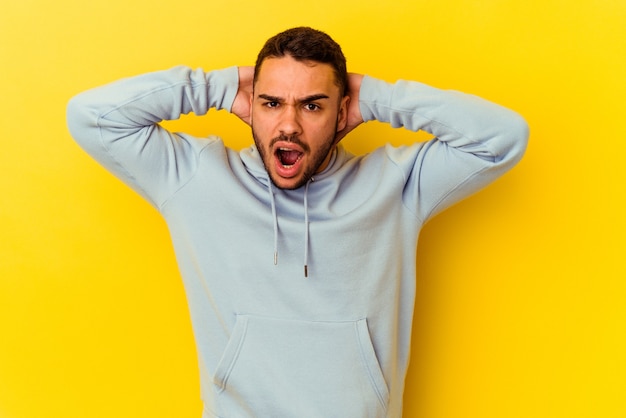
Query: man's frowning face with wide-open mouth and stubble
point(297, 110)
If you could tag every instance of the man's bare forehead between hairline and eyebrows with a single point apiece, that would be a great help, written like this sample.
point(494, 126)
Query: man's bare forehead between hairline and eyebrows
point(278, 76)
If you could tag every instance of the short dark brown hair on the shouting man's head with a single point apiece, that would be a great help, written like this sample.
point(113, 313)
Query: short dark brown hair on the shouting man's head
point(306, 44)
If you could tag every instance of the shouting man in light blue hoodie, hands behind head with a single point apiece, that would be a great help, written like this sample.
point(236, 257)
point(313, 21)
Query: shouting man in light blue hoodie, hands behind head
point(298, 258)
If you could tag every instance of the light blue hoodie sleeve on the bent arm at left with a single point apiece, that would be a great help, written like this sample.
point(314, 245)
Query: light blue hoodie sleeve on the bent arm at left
point(118, 125)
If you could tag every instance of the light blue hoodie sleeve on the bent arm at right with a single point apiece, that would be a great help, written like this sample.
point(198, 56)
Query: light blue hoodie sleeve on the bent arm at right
point(475, 141)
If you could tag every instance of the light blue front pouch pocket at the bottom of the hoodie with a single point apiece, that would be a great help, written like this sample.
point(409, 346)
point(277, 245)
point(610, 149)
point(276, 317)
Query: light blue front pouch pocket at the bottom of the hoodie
point(287, 368)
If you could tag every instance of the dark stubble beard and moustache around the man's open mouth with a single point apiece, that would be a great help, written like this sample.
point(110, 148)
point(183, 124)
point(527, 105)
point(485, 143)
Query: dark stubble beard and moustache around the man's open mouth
point(316, 159)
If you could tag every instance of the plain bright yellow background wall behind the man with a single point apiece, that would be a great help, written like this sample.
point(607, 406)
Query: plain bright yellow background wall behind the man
point(521, 306)
